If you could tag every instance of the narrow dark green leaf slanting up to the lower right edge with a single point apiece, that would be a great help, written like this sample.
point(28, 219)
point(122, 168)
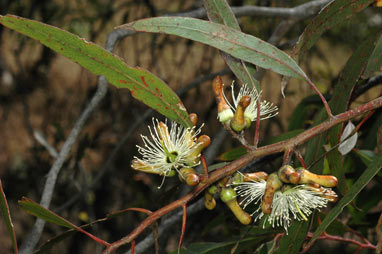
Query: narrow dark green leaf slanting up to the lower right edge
point(362, 181)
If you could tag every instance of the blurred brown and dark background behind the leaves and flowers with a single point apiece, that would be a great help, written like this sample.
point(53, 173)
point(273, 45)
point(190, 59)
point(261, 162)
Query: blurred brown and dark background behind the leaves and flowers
point(43, 93)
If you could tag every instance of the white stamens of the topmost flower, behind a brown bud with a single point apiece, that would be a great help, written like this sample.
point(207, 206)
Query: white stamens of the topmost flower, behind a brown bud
point(267, 109)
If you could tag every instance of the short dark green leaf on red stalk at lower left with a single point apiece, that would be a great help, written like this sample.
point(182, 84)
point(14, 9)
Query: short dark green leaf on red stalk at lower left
point(37, 210)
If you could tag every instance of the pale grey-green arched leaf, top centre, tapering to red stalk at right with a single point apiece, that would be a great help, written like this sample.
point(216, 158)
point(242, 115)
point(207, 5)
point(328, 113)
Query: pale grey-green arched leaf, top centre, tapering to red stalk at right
point(229, 40)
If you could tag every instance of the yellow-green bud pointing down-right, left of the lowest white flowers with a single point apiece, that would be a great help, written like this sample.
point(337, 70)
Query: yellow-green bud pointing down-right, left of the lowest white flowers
point(228, 196)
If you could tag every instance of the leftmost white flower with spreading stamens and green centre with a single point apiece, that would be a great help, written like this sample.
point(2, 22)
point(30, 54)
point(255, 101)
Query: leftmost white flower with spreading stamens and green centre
point(167, 151)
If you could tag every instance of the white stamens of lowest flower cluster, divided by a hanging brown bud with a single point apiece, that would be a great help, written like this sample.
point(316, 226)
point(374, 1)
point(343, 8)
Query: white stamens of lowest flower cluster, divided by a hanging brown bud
point(292, 202)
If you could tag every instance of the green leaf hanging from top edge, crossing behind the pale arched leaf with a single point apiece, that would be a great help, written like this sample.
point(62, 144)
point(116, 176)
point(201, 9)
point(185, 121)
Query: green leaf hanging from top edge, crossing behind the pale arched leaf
point(220, 12)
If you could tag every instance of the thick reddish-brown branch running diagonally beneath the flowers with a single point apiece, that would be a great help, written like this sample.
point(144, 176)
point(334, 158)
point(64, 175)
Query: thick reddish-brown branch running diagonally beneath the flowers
point(244, 160)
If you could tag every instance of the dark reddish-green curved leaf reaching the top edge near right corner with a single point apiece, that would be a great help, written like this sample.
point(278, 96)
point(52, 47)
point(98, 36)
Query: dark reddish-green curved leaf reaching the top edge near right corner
point(332, 15)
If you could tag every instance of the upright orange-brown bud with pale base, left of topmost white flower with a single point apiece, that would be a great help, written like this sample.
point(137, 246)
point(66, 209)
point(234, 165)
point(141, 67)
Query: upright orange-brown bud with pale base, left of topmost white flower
point(224, 111)
